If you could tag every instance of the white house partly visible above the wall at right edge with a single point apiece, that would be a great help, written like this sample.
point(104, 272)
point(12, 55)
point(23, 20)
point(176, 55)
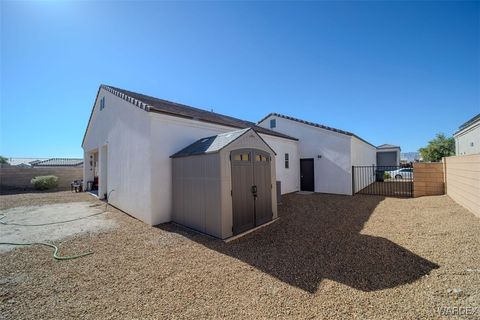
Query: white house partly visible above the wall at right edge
point(467, 138)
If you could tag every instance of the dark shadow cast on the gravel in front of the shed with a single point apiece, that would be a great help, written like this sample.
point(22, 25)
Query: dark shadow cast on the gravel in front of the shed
point(318, 237)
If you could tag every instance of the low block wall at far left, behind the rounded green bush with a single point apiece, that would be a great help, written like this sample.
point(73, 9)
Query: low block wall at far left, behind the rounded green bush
point(15, 178)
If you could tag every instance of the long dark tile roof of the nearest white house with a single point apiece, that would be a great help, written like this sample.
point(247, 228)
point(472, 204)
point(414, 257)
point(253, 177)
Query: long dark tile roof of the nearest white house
point(152, 104)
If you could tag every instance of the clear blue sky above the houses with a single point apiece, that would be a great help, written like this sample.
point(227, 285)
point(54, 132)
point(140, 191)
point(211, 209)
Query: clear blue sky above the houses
point(391, 72)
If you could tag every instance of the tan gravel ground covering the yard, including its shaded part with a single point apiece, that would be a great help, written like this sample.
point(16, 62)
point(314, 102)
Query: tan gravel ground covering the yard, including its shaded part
point(328, 256)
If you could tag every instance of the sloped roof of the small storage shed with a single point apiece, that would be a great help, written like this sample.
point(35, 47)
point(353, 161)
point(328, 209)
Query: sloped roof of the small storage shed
point(210, 144)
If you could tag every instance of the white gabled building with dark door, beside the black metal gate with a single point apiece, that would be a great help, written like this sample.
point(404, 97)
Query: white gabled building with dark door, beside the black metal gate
point(326, 154)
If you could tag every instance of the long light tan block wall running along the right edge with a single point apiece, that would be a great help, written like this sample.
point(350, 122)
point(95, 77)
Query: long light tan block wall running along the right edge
point(463, 181)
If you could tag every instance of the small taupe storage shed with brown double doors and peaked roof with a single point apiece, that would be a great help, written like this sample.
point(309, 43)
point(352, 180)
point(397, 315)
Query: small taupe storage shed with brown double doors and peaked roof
point(224, 185)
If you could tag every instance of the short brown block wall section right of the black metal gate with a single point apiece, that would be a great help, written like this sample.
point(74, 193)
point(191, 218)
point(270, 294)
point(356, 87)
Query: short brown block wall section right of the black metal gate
point(428, 179)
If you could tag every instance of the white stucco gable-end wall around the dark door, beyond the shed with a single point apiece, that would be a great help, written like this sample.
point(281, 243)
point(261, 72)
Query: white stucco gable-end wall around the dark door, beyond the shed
point(333, 169)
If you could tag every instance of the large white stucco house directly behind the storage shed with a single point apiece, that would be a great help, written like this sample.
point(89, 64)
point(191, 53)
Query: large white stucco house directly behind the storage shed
point(130, 138)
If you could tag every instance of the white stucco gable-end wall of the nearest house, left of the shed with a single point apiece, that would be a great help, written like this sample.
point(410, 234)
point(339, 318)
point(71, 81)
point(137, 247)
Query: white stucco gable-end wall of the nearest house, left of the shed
point(125, 129)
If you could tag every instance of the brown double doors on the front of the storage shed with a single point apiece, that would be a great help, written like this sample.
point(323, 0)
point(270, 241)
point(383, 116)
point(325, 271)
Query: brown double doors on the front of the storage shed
point(251, 189)
